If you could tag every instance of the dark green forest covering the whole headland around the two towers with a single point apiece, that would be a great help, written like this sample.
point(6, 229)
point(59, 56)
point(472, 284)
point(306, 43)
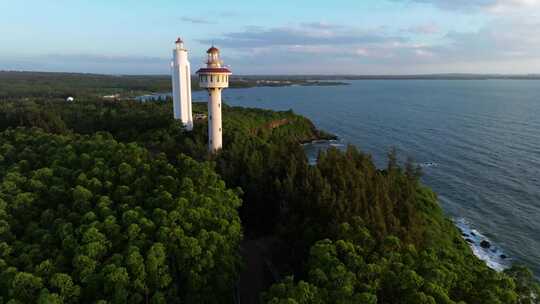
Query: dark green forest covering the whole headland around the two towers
point(115, 202)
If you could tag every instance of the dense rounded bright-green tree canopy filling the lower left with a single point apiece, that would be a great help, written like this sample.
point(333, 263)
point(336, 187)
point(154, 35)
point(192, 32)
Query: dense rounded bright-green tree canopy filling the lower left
point(85, 218)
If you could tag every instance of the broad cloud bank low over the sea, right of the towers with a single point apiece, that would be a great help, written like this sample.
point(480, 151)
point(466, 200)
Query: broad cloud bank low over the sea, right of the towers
point(500, 44)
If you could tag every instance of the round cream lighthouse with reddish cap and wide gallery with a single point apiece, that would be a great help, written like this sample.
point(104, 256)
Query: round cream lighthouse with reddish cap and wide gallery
point(214, 78)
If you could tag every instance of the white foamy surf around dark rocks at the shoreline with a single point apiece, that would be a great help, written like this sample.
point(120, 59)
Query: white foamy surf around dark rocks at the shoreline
point(493, 256)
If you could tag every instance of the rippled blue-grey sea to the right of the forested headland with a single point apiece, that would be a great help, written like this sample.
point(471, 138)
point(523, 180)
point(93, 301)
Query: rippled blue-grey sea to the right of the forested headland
point(478, 142)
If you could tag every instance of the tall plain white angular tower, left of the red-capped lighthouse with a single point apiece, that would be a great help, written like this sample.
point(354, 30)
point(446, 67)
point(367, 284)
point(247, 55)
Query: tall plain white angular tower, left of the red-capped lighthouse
point(181, 83)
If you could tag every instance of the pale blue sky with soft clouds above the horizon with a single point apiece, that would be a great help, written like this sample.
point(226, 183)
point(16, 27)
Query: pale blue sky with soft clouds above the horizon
point(367, 37)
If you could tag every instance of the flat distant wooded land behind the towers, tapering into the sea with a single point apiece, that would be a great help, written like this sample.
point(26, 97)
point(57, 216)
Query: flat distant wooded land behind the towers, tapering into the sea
point(20, 85)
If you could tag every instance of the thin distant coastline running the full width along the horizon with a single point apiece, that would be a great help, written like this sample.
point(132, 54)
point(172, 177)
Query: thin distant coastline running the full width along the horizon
point(127, 87)
